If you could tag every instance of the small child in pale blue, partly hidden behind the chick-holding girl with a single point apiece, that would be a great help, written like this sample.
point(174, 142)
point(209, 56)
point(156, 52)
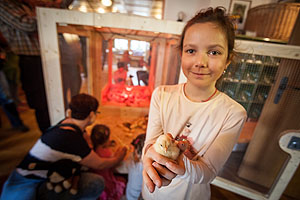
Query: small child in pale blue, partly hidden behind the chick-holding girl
point(133, 167)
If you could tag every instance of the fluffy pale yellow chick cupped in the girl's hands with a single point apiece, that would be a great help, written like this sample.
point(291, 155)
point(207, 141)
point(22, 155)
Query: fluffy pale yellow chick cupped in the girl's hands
point(167, 146)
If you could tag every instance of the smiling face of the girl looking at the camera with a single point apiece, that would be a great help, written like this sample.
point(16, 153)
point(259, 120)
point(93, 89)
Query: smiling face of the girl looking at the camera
point(204, 54)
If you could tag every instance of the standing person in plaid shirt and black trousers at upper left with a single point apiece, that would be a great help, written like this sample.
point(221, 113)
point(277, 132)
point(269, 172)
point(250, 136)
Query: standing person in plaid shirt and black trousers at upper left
point(19, 28)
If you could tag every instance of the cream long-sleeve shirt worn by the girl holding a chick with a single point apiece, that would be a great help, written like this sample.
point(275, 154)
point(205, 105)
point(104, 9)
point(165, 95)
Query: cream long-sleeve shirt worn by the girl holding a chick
point(212, 127)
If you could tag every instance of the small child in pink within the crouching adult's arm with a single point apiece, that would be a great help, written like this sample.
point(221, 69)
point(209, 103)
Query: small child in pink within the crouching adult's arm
point(114, 188)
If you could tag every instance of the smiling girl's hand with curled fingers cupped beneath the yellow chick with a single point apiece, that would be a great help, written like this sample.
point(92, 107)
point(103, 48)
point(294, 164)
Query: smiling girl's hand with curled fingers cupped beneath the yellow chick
point(159, 170)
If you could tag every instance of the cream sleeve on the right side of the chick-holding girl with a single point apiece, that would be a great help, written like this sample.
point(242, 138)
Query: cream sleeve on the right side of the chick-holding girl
point(204, 168)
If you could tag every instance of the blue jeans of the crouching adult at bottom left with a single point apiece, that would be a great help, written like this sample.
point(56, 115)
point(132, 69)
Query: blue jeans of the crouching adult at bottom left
point(90, 187)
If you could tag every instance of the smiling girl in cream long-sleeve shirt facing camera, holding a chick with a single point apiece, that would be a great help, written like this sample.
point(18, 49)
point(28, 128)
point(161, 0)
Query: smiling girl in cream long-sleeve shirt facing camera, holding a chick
point(209, 119)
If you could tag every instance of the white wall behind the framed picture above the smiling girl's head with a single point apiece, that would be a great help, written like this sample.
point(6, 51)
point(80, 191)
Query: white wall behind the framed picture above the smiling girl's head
point(190, 7)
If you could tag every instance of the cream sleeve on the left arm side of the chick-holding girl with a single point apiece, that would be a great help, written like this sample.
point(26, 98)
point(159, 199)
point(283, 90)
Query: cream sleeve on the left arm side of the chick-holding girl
point(154, 127)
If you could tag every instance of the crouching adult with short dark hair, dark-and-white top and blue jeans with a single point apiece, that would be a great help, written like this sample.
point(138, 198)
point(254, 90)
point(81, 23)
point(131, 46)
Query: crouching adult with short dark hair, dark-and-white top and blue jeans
point(66, 140)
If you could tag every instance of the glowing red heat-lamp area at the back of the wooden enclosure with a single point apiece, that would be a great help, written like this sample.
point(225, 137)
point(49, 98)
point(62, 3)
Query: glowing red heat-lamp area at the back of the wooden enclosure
point(130, 80)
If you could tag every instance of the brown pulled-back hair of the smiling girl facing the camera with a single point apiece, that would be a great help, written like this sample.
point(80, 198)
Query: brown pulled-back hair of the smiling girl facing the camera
point(218, 17)
